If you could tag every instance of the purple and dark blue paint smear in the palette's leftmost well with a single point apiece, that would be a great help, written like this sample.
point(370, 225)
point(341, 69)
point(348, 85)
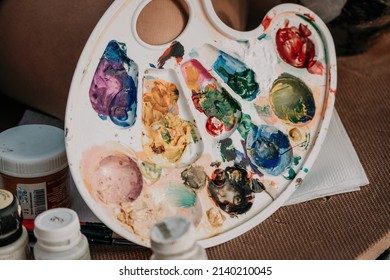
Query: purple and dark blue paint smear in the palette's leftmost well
point(113, 90)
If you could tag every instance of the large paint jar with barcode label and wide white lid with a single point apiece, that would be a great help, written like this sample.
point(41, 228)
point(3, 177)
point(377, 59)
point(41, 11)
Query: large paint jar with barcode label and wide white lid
point(34, 166)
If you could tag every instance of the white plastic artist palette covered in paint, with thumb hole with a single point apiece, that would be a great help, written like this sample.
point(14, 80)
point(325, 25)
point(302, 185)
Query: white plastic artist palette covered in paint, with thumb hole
point(219, 126)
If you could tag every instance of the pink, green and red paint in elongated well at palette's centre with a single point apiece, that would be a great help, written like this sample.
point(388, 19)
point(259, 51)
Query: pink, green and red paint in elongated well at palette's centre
point(216, 103)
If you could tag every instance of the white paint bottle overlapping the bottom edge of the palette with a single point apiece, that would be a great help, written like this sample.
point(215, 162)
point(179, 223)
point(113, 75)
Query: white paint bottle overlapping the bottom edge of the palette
point(174, 239)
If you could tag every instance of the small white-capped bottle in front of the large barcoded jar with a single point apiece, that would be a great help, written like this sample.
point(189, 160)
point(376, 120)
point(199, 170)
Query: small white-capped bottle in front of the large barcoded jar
point(59, 237)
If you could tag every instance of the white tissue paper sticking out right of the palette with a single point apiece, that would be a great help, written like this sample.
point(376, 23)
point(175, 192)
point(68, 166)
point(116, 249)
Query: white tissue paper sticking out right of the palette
point(336, 170)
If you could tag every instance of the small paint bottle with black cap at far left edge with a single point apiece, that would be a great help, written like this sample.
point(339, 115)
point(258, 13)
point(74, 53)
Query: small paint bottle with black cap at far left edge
point(13, 235)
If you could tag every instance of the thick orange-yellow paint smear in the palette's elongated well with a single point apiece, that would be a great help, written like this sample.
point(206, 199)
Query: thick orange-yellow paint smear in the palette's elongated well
point(167, 134)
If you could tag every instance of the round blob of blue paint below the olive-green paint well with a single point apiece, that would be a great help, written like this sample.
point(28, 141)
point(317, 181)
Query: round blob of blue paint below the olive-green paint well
point(269, 149)
